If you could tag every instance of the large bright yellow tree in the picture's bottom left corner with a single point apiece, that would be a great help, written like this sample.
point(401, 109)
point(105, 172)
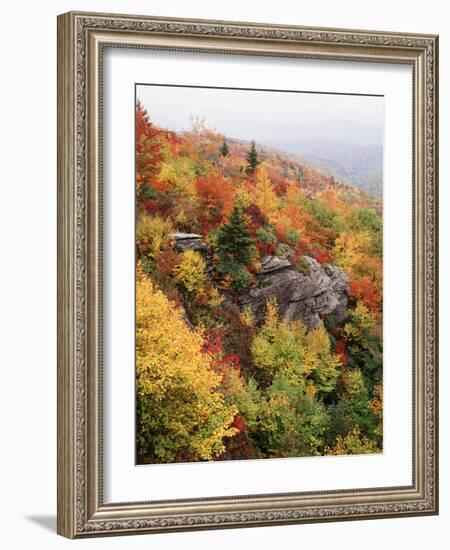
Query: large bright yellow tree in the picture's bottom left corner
point(180, 409)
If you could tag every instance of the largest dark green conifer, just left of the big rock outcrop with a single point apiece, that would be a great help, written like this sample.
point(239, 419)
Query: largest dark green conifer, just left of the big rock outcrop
point(235, 243)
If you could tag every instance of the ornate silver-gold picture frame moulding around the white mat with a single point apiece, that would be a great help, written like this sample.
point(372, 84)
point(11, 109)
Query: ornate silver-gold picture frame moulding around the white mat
point(81, 37)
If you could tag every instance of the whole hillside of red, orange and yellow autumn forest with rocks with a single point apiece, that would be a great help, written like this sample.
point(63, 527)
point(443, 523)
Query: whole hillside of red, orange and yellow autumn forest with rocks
point(258, 303)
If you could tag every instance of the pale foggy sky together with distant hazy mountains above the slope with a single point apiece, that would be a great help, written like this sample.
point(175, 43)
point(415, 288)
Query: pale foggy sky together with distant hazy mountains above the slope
point(340, 134)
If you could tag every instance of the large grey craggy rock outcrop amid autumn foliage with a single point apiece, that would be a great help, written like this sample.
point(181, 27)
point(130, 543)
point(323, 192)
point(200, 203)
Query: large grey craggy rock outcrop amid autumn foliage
point(304, 296)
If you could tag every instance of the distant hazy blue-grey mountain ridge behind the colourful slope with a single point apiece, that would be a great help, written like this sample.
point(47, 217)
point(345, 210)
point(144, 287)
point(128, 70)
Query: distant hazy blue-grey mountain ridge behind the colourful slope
point(360, 165)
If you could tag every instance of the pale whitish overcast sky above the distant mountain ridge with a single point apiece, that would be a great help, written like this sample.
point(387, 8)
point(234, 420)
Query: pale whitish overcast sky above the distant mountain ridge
point(268, 116)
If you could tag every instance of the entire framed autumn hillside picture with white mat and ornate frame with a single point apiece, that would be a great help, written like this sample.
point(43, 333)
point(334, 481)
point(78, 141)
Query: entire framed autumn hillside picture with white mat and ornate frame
point(247, 276)
